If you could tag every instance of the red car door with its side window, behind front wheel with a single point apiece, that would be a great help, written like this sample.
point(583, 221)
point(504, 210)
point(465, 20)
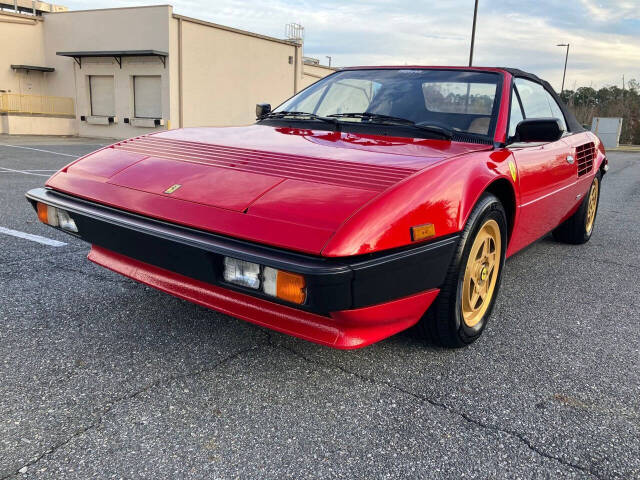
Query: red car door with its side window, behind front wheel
point(546, 171)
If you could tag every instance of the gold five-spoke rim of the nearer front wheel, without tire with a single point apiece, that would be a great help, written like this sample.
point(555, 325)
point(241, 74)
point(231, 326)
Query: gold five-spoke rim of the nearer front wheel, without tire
point(481, 273)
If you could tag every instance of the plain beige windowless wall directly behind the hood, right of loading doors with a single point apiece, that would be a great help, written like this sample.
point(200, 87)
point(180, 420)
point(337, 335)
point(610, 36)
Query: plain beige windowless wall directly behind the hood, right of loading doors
point(226, 72)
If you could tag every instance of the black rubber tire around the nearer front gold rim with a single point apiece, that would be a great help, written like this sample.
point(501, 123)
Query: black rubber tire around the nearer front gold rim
point(443, 324)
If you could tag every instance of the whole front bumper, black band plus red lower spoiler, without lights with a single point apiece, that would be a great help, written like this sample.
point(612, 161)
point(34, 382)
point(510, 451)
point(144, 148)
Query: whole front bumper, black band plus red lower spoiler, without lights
point(351, 302)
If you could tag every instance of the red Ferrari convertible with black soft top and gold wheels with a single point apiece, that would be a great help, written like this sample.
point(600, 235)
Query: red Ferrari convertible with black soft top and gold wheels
point(376, 199)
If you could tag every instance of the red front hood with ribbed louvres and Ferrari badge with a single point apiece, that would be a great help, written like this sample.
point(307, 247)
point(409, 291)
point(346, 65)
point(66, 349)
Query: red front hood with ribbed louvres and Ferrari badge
point(287, 187)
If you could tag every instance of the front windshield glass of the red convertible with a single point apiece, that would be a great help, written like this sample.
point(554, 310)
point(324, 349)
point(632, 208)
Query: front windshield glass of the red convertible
point(457, 100)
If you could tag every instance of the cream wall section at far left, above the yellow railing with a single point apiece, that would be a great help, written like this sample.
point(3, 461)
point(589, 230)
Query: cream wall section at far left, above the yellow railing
point(22, 41)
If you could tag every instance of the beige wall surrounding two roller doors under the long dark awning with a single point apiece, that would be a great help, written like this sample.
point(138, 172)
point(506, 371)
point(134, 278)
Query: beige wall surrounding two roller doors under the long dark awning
point(141, 28)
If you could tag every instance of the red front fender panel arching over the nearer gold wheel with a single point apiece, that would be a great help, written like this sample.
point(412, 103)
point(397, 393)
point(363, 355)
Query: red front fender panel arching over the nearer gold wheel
point(443, 195)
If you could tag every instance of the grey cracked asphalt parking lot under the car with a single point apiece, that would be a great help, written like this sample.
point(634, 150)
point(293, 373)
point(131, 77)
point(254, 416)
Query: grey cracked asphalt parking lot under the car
point(105, 378)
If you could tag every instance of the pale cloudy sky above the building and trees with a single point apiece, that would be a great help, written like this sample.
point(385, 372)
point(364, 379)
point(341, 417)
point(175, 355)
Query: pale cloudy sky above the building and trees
point(604, 35)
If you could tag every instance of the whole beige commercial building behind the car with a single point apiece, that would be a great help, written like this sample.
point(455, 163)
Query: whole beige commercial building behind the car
point(123, 72)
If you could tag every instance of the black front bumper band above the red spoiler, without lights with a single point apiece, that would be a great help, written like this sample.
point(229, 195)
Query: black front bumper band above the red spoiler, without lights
point(332, 284)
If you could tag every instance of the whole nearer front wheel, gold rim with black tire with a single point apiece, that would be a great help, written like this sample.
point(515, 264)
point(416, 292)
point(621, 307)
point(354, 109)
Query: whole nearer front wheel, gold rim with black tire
point(466, 299)
